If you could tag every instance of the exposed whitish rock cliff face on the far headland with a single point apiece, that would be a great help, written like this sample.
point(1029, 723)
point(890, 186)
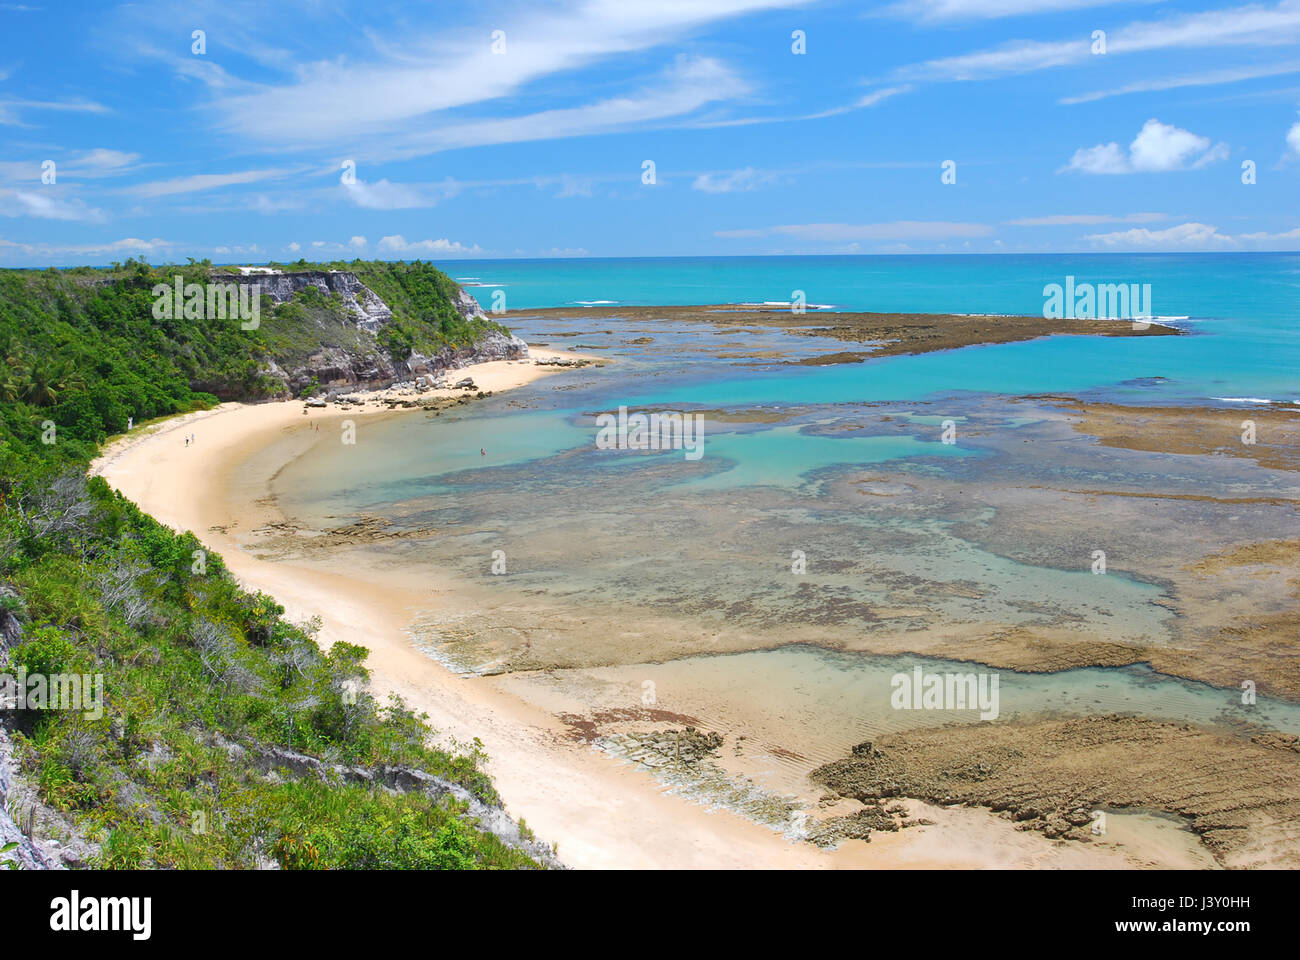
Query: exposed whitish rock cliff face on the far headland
point(348, 369)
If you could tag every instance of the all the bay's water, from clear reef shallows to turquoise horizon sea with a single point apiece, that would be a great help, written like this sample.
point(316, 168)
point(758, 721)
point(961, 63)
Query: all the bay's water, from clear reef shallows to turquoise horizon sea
point(649, 564)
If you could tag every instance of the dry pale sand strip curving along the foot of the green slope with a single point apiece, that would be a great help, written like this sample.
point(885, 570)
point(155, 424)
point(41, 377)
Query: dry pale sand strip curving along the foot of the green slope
point(603, 815)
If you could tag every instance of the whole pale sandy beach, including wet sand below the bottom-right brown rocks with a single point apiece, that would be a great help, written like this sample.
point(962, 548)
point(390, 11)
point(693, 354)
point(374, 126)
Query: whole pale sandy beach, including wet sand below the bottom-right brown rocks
point(600, 812)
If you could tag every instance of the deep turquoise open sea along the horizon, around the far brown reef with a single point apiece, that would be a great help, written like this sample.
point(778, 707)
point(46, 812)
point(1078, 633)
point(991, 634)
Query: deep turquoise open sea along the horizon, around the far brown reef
point(1243, 309)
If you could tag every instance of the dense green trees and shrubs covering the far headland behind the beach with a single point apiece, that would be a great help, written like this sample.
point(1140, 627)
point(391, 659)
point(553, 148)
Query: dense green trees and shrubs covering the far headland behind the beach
point(83, 349)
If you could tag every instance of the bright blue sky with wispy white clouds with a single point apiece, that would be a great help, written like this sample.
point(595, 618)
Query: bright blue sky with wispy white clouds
point(534, 141)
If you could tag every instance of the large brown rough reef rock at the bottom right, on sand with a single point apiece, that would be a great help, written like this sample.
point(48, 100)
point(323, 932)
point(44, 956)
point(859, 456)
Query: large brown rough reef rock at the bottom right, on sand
point(1237, 788)
